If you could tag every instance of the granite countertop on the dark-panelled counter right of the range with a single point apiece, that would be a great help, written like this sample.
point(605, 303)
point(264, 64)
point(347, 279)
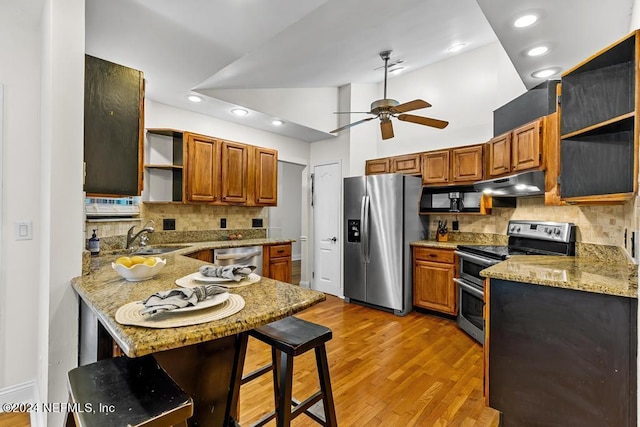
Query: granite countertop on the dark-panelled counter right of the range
point(577, 273)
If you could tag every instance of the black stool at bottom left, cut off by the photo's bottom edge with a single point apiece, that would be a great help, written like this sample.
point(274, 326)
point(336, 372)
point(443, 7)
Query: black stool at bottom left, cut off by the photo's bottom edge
point(124, 391)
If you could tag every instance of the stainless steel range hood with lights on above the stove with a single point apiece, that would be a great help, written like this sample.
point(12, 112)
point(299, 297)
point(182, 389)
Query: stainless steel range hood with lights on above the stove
point(524, 184)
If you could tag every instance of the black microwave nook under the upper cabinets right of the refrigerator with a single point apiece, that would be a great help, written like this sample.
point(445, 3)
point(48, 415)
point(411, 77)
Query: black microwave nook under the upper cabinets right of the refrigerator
point(449, 199)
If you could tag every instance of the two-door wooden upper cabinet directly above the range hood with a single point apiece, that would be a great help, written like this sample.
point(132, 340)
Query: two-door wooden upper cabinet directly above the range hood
point(515, 151)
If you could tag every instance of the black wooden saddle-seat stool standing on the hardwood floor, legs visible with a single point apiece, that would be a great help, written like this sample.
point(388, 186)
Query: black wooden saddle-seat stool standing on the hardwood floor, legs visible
point(289, 338)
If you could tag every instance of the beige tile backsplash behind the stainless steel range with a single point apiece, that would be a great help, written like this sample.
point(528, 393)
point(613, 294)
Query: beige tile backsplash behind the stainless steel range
point(602, 225)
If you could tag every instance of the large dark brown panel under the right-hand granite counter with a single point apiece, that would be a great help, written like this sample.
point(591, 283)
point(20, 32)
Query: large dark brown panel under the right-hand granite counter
point(560, 357)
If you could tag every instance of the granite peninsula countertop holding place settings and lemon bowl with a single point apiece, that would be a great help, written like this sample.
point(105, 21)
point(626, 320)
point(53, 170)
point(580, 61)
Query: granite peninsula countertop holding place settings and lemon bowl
point(104, 291)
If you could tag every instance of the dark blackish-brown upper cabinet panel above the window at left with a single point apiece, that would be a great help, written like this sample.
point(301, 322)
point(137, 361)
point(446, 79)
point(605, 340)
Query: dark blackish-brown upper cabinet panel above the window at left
point(113, 128)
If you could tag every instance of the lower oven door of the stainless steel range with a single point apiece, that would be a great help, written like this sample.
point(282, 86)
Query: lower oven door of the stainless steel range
point(471, 309)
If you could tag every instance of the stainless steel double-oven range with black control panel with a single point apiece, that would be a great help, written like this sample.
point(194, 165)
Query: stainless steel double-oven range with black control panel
point(525, 238)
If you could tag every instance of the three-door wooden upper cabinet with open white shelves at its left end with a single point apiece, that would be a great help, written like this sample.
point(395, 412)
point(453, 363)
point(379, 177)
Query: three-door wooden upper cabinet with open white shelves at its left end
point(215, 171)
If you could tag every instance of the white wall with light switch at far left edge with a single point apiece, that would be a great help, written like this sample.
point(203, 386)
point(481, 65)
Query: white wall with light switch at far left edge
point(19, 44)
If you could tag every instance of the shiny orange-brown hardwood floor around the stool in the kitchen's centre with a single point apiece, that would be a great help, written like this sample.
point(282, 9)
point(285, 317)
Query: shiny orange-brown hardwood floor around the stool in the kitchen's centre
point(417, 370)
